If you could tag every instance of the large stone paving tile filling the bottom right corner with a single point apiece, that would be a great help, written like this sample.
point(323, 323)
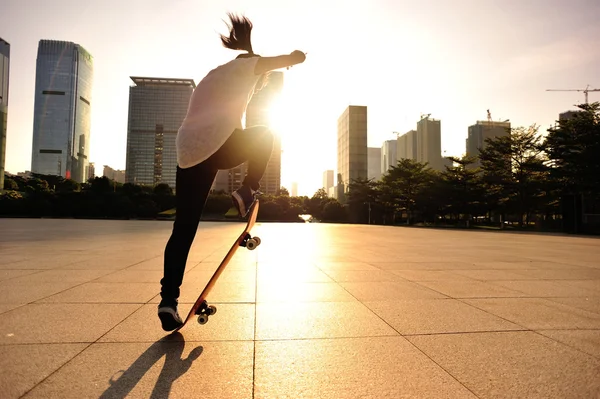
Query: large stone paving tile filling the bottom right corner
point(513, 365)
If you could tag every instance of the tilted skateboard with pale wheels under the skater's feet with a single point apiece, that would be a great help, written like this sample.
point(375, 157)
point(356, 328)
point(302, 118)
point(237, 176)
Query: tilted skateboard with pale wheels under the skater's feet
point(201, 308)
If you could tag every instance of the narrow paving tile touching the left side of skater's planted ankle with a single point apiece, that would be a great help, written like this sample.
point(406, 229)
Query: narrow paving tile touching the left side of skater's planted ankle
point(107, 293)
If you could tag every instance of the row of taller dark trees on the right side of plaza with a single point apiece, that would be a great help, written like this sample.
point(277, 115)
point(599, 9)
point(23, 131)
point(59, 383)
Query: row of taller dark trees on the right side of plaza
point(521, 178)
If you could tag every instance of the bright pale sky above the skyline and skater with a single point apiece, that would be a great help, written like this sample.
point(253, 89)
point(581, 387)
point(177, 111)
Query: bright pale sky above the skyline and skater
point(400, 58)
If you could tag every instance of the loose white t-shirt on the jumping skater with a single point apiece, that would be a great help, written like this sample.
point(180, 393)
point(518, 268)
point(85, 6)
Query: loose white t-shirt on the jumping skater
point(216, 109)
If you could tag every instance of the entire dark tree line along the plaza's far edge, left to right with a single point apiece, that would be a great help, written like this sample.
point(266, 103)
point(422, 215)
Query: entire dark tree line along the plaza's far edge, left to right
point(521, 179)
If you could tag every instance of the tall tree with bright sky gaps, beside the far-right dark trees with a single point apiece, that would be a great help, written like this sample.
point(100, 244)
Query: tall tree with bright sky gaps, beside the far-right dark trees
point(514, 171)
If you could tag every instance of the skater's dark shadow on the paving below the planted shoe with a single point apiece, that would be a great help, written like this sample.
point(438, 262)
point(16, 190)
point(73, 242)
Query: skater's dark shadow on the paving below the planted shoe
point(171, 346)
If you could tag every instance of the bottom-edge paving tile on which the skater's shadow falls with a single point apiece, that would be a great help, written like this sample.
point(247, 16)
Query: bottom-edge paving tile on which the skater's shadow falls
point(169, 368)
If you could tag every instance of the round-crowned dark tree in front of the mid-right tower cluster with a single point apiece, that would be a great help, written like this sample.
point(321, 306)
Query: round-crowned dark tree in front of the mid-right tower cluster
point(406, 182)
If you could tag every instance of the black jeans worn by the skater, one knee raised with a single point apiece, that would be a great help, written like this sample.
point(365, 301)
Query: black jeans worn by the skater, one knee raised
point(254, 145)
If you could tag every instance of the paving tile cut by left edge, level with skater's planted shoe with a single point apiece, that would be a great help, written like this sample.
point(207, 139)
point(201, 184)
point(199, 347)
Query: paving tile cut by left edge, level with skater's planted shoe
point(57, 323)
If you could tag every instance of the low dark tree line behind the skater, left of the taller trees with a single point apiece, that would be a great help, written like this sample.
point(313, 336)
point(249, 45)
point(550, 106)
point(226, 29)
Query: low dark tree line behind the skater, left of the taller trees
point(54, 196)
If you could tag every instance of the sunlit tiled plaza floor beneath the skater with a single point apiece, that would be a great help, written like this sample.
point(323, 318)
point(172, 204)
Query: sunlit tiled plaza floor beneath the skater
point(317, 311)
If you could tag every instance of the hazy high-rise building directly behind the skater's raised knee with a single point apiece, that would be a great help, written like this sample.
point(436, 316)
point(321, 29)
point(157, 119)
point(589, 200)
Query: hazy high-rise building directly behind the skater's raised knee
point(257, 113)
